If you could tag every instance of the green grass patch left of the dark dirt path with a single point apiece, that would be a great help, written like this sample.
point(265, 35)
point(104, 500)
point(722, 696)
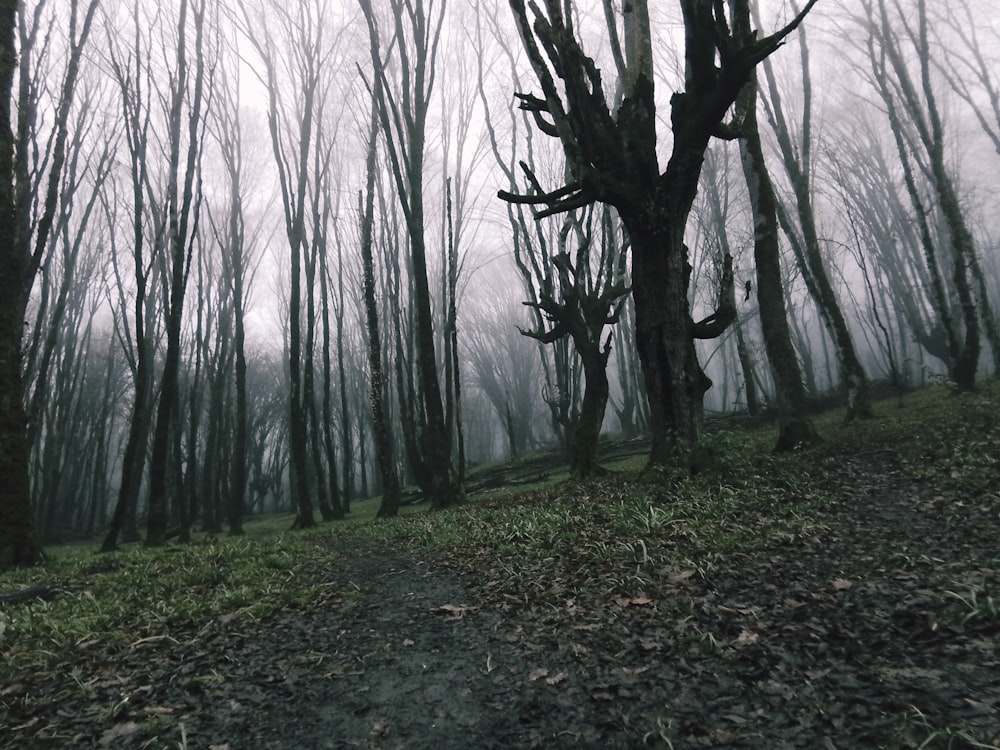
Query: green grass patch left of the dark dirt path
point(135, 595)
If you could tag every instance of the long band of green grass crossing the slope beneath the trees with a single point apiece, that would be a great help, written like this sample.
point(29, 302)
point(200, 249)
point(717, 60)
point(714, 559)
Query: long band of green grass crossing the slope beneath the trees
point(748, 500)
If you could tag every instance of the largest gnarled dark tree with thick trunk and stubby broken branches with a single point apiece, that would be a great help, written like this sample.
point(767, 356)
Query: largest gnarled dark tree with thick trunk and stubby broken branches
point(611, 157)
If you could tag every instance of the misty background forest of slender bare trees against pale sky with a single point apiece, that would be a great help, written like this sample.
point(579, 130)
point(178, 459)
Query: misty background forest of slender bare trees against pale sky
point(264, 265)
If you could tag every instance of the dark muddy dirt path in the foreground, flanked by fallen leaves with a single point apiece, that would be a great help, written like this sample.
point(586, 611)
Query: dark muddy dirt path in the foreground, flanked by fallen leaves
point(409, 662)
